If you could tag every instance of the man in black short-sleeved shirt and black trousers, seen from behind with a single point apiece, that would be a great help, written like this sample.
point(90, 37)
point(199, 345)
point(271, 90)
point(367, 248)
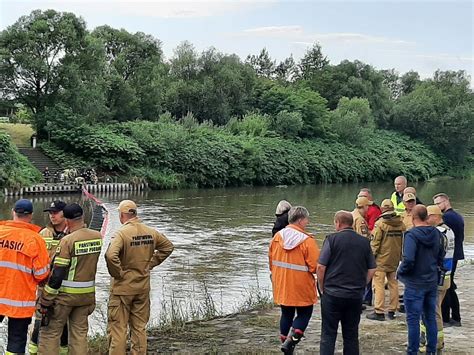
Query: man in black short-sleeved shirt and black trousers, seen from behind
point(346, 265)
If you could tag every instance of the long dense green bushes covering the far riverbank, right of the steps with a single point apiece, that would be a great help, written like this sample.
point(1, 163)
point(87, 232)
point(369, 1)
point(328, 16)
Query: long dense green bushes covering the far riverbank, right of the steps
point(171, 155)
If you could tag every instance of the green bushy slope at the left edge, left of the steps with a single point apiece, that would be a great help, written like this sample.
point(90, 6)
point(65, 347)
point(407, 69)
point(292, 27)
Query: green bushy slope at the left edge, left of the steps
point(15, 169)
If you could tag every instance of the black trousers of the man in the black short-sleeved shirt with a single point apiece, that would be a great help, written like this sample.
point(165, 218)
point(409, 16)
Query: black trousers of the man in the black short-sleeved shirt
point(344, 310)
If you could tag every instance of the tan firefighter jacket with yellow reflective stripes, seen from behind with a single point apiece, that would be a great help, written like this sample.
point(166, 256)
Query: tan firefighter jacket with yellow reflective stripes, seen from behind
point(72, 282)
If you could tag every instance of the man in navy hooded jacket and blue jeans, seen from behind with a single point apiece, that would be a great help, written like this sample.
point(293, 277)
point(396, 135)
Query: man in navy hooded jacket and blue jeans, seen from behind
point(423, 255)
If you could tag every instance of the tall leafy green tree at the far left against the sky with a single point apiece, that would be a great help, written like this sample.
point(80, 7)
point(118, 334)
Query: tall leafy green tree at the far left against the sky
point(33, 51)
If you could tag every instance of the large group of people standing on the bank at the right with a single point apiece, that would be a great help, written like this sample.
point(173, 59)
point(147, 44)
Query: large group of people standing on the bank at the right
point(374, 248)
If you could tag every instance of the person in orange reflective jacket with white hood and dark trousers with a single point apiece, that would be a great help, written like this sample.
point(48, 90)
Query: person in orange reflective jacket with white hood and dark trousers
point(293, 259)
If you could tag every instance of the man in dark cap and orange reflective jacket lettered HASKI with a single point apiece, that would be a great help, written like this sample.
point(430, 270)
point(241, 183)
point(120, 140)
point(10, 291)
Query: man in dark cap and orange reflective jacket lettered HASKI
point(24, 263)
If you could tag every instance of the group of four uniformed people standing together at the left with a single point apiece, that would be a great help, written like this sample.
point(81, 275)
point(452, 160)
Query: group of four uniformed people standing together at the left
point(50, 274)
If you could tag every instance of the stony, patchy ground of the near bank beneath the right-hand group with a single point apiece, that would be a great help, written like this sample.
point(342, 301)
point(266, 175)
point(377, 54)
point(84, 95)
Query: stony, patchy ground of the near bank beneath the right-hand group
point(256, 332)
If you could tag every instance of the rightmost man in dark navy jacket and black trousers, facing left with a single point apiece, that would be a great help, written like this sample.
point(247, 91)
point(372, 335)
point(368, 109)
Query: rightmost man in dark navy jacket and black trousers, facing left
point(450, 307)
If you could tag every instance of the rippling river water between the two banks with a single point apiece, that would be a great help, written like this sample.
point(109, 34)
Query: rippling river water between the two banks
point(221, 236)
